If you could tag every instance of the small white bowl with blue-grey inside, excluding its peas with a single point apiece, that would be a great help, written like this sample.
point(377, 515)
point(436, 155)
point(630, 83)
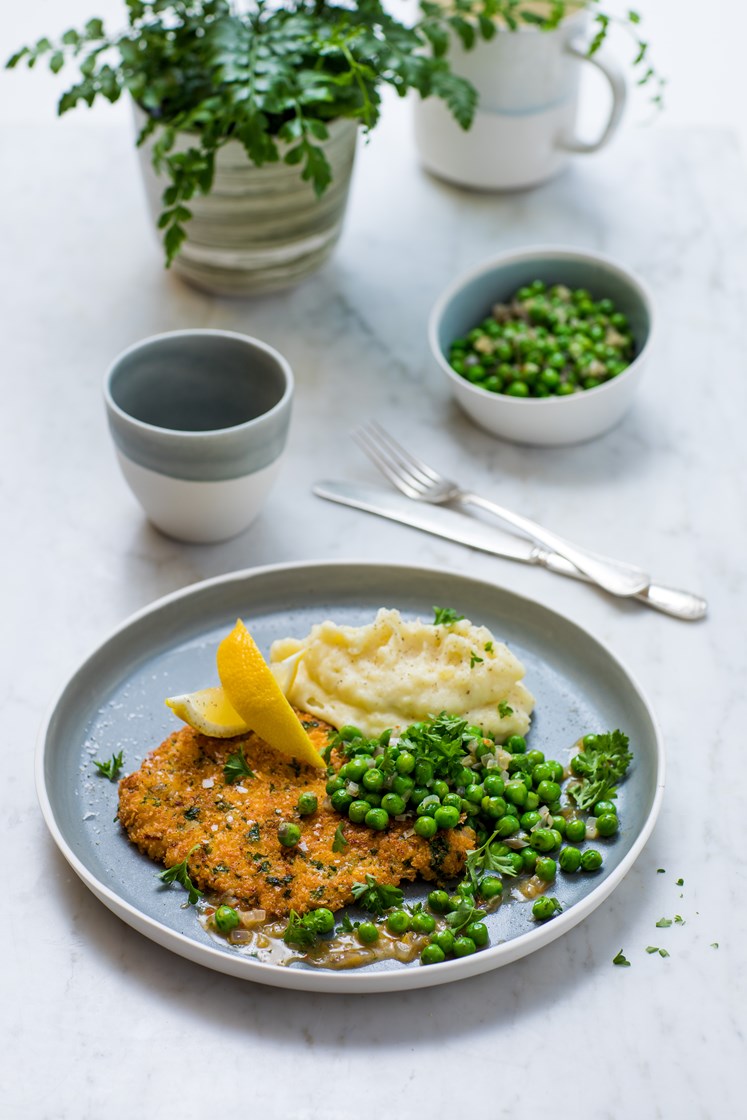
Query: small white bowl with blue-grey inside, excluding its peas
point(553, 421)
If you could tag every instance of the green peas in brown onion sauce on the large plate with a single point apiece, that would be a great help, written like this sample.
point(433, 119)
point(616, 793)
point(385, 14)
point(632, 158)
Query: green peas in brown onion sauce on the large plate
point(531, 818)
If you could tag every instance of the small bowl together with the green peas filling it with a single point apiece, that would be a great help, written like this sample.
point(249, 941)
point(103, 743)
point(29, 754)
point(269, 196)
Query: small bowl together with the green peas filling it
point(545, 346)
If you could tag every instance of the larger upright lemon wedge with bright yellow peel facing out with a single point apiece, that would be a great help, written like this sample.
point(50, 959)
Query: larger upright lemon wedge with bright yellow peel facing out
point(254, 693)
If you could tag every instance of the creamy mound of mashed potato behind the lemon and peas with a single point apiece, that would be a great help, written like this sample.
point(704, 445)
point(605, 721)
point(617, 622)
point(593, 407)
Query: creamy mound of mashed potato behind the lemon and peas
point(393, 673)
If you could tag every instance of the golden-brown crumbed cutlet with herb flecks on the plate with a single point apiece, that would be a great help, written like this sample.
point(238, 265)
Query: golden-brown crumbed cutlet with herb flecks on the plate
point(180, 806)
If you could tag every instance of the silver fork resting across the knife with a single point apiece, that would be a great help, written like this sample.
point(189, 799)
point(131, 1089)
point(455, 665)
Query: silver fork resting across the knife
point(421, 482)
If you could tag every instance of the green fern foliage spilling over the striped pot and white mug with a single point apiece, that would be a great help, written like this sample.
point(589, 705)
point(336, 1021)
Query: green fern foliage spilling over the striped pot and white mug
point(273, 78)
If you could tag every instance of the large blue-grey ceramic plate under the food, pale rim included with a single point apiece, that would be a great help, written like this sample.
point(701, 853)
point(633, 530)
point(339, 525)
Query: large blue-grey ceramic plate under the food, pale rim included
point(116, 703)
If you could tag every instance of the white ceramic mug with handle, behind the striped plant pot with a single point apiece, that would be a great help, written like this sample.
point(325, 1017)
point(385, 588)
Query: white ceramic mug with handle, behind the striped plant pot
point(525, 130)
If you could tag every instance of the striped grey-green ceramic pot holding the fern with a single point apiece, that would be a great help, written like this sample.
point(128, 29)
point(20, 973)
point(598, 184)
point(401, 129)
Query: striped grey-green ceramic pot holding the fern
point(262, 229)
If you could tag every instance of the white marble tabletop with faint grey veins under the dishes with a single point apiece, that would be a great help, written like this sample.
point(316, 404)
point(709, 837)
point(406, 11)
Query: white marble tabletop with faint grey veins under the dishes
point(94, 1014)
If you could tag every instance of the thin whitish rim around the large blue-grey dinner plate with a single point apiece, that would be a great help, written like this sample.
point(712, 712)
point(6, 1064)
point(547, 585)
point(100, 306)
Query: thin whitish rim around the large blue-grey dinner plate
point(325, 981)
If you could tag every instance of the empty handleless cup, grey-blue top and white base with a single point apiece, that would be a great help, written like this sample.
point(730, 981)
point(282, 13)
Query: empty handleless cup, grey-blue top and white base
point(200, 422)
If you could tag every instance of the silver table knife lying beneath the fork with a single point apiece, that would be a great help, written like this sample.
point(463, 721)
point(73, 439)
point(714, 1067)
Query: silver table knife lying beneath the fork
point(475, 535)
